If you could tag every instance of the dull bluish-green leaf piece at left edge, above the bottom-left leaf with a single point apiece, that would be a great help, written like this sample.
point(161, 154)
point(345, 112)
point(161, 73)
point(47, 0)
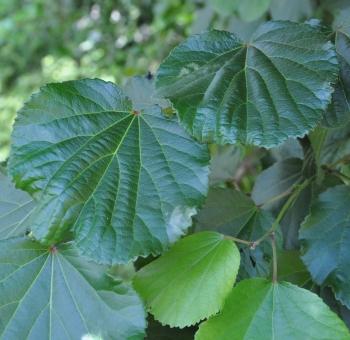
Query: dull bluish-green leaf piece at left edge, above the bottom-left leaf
point(16, 207)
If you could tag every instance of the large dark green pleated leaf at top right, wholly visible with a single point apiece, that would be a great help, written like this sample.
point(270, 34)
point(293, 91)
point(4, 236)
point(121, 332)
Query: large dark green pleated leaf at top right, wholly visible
point(276, 86)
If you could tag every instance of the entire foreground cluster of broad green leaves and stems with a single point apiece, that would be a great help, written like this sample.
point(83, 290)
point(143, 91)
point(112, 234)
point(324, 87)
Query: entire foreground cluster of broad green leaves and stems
point(109, 181)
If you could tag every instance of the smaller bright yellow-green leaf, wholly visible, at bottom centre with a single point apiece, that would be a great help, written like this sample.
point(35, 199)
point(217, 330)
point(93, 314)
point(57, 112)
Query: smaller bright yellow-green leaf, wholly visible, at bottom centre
point(191, 281)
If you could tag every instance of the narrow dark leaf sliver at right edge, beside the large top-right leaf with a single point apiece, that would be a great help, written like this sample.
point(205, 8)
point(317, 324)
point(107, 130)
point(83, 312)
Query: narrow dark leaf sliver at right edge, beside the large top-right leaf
point(339, 111)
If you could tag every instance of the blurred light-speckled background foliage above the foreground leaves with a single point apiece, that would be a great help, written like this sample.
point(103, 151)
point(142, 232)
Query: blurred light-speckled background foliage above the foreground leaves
point(45, 41)
